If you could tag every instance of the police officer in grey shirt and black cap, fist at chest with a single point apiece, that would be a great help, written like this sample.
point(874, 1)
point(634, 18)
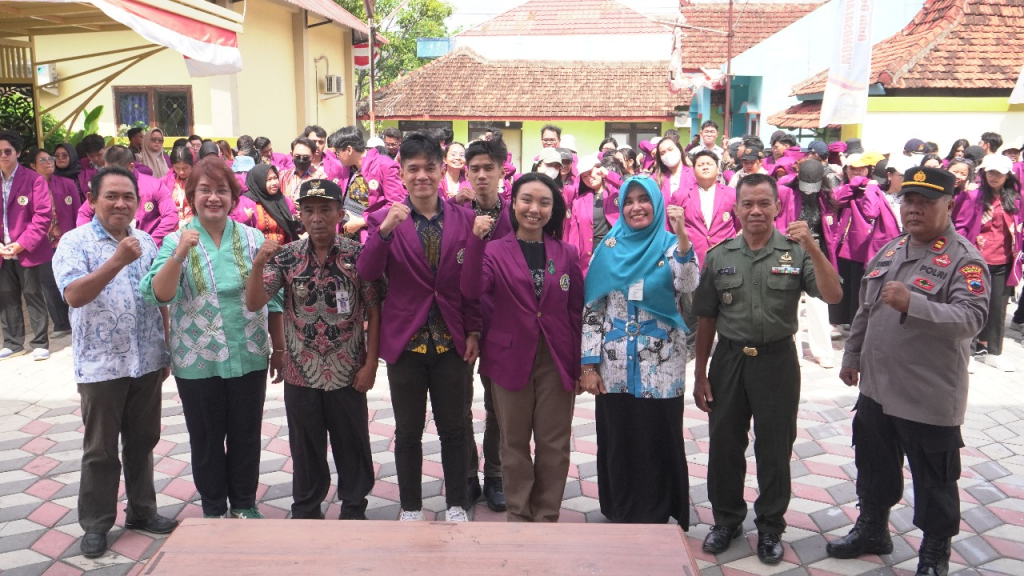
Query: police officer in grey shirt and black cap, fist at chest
point(925, 296)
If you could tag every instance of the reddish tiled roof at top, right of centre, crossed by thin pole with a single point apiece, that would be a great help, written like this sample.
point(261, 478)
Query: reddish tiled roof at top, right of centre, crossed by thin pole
point(754, 23)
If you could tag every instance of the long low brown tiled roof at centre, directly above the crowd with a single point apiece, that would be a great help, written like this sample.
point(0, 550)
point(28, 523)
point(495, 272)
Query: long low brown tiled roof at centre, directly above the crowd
point(465, 86)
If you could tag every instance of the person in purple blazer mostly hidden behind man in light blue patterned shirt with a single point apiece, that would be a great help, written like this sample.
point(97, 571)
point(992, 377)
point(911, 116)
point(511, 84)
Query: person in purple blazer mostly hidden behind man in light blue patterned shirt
point(157, 215)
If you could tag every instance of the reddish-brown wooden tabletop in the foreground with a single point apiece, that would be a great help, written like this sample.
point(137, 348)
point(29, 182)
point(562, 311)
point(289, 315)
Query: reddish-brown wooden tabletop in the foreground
point(311, 548)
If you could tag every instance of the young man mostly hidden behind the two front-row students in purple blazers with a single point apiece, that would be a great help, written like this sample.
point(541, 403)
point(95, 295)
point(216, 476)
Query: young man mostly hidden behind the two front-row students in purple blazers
point(485, 161)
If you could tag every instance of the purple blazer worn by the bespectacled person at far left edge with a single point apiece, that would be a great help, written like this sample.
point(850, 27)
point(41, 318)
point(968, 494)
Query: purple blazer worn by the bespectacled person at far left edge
point(29, 217)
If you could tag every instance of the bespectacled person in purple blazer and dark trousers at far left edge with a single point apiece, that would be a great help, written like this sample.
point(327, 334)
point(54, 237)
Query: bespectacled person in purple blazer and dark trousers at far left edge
point(25, 251)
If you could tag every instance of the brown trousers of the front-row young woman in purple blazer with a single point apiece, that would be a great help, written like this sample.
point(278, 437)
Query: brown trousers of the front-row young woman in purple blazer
point(543, 410)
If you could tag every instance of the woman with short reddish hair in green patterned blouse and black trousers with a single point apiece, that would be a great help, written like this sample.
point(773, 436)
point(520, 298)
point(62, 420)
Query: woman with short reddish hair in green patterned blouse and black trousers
point(220, 350)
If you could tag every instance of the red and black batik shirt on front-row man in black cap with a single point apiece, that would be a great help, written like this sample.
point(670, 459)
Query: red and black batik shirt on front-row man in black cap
point(325, 307)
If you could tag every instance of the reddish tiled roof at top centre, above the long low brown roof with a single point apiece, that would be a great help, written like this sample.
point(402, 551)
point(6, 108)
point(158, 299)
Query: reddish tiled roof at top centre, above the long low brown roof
point(563, 18)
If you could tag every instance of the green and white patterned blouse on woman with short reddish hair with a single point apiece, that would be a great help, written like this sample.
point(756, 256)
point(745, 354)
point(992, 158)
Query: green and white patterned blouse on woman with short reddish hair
point(212, 333)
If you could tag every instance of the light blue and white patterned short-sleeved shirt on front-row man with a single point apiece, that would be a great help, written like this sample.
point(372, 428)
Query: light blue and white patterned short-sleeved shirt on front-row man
point(117, 336)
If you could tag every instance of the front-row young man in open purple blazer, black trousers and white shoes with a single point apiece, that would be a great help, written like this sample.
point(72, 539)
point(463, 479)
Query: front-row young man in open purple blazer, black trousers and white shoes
point(430, 332)
